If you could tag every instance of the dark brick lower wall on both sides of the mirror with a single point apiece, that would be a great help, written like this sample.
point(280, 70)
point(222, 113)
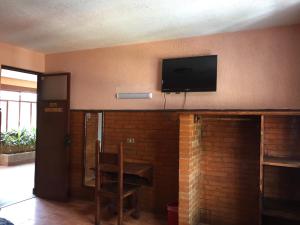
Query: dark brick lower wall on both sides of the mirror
point(156, 142)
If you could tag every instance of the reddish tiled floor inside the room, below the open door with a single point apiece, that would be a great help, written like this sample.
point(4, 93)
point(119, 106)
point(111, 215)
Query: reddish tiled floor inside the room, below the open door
point(41, 212)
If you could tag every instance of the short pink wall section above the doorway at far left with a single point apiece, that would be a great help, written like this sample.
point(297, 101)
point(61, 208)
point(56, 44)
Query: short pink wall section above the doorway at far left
point(21, 58)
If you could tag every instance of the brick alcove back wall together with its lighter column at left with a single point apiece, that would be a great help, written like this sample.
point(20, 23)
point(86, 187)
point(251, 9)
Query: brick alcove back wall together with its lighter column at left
point(227, 173)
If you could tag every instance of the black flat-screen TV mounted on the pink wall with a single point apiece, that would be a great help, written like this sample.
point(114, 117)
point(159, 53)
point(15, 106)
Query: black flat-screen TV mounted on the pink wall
point(193, 74)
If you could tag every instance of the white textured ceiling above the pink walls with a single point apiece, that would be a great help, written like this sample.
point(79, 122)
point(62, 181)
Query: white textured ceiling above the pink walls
point(51, 26)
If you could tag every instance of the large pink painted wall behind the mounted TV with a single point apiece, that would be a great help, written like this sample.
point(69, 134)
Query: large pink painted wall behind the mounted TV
point(256, 70)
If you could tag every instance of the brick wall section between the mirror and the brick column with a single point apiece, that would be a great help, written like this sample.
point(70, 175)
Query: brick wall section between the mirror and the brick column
point(156, 142)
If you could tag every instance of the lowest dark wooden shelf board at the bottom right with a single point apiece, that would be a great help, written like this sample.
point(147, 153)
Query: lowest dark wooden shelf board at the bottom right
point(288, 210)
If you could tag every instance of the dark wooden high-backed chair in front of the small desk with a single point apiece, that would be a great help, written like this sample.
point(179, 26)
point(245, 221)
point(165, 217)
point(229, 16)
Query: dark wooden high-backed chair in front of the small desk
point(112, 187)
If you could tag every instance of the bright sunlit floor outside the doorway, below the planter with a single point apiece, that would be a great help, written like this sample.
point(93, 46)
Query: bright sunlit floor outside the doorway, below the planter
point(16, 183)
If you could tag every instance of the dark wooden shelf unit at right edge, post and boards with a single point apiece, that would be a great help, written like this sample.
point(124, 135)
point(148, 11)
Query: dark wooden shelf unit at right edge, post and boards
point(276, 207)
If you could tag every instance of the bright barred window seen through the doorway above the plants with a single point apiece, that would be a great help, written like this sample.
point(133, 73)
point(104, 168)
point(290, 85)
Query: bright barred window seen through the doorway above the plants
point(18, 110)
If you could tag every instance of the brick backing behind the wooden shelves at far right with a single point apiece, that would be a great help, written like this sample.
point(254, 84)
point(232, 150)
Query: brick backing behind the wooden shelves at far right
point(281, 139)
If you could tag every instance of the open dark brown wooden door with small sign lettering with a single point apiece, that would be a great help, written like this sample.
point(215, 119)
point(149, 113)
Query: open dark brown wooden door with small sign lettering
point(52, 145)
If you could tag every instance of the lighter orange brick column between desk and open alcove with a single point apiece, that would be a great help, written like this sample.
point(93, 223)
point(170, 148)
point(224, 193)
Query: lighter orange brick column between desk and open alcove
point(189, 170)
